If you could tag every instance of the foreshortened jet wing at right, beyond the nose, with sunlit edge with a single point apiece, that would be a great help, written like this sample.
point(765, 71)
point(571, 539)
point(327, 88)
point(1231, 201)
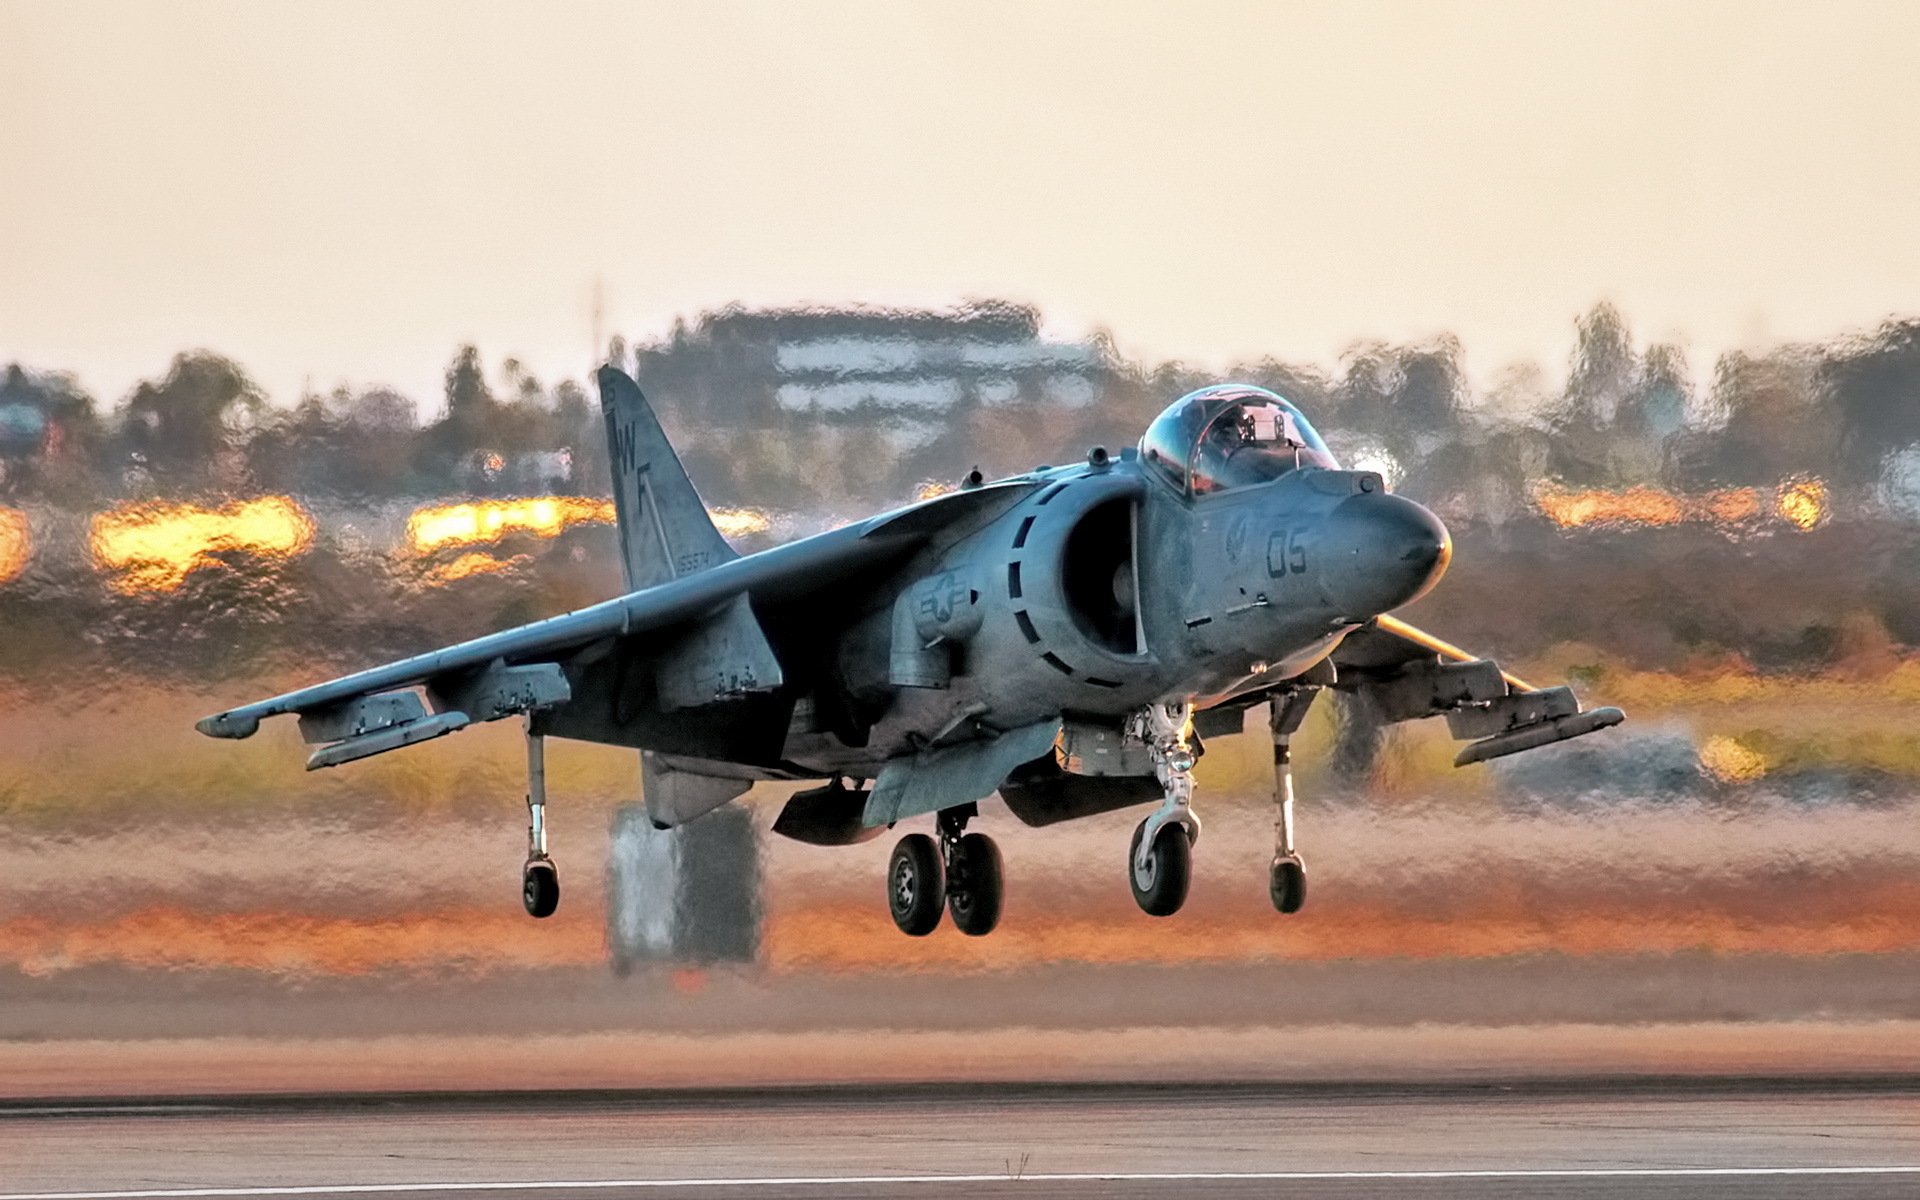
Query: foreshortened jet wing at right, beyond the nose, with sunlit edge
point(1408, 673)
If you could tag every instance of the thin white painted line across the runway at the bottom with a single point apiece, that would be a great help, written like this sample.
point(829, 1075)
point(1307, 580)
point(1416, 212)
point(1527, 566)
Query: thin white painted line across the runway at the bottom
point(535, 1186)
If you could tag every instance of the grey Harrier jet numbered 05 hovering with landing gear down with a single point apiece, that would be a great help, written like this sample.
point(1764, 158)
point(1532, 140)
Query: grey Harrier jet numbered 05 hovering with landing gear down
point(1065, 638)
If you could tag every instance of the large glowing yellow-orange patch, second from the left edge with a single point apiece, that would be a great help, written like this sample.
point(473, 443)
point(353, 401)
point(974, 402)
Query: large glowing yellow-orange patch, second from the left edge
point(155, 548)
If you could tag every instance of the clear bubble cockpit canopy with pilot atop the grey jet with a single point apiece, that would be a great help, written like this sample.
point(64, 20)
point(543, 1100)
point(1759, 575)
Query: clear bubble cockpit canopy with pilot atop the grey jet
point(1232, 437)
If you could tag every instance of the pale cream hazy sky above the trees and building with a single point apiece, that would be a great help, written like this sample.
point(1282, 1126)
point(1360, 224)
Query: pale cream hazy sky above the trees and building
point(347, 191)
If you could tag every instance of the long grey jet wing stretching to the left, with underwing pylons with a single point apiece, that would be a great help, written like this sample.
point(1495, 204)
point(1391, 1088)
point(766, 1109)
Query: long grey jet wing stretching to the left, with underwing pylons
point(517, 671)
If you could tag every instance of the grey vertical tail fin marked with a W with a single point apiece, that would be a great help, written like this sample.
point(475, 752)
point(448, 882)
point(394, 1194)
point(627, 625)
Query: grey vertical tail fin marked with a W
point(665, 531)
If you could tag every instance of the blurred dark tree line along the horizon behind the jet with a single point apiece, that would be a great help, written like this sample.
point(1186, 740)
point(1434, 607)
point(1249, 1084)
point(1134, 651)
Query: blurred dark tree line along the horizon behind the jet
point(1844, 412)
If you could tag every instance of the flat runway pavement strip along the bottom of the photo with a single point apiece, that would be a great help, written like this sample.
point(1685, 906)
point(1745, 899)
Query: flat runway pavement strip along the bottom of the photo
point(938, 1143)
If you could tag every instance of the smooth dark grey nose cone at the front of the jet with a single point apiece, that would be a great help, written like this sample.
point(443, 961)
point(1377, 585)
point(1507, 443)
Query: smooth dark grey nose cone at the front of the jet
point(1381, 552)
